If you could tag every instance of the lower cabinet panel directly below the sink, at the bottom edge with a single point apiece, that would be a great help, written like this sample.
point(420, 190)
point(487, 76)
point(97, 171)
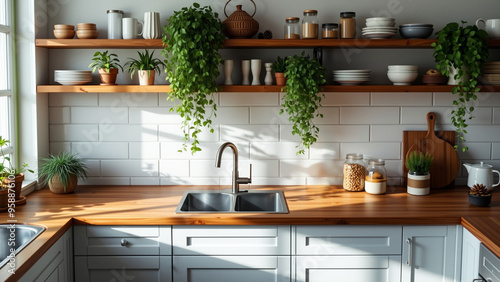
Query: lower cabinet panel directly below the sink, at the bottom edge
point(231, 268)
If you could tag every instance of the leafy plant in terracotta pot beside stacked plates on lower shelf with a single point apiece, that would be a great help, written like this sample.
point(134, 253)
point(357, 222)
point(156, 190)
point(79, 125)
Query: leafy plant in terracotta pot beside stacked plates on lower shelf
point(108, 65)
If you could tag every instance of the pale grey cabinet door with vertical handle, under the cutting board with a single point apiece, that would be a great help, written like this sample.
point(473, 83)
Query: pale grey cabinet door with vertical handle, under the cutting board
point(431, 253)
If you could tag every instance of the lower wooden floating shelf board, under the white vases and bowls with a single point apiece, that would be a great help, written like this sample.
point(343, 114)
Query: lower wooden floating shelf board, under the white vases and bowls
point(249, 88)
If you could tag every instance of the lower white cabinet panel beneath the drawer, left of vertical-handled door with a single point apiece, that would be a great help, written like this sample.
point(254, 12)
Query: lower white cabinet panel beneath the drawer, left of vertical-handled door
point(348, 268)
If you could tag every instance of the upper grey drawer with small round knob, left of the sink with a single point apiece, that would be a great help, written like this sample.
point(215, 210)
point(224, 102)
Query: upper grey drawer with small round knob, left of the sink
point(122, 240)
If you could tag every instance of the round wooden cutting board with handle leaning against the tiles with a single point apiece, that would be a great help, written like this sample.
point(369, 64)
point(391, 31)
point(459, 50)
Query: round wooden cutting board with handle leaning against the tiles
point(446, 163)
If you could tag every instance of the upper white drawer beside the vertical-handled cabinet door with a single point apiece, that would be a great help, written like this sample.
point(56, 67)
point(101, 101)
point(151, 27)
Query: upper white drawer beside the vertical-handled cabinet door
point(348, 240)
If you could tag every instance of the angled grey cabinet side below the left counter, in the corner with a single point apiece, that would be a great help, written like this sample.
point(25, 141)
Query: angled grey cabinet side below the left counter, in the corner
point(56, 265)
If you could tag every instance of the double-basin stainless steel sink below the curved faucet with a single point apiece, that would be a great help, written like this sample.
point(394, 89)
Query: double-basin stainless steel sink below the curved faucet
point(252, 201)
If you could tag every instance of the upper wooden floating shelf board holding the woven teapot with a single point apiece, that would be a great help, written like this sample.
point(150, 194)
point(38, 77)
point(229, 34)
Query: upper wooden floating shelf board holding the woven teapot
point(245, 43)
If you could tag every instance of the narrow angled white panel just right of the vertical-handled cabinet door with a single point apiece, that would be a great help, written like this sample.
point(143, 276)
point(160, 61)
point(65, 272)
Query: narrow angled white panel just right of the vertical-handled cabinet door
point(470, 257)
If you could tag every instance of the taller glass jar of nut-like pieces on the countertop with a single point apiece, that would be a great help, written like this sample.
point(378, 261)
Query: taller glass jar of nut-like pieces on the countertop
point(354, 173)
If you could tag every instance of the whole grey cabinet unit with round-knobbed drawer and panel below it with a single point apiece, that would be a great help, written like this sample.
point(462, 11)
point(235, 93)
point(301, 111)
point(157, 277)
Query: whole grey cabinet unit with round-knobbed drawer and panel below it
point(123, 253)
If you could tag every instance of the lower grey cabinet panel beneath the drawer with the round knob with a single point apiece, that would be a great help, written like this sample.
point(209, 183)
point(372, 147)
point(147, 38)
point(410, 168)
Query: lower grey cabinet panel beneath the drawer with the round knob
point(123, 268)
